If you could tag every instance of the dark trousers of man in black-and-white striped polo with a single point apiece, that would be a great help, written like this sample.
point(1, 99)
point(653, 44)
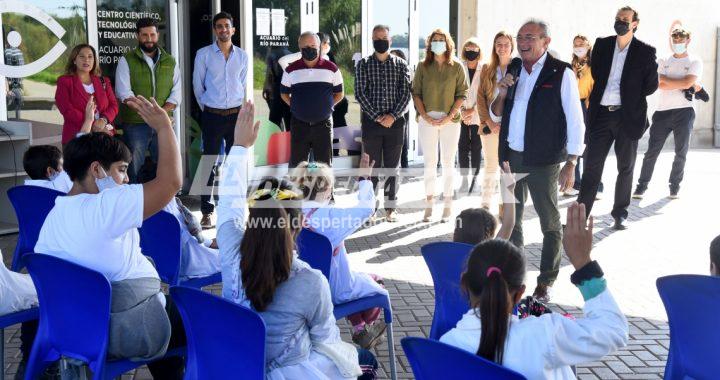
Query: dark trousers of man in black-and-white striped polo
point(306, 136)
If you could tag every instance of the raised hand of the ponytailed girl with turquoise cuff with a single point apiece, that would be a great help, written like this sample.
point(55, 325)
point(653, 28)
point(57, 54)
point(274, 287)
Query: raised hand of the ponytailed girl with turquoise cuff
point(577, 237)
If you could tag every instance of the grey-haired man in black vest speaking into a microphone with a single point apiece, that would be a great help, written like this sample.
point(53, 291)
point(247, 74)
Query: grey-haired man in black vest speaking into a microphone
point(541, 127)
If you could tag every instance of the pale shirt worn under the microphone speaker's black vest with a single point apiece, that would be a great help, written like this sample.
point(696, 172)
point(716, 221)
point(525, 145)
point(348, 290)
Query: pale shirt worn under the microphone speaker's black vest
point(570, 103)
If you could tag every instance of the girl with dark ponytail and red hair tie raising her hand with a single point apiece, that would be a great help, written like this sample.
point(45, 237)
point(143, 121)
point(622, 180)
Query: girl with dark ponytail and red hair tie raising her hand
point(538, 347)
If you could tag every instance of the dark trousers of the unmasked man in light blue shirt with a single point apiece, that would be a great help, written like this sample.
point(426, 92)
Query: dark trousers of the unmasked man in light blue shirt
point(215, 130)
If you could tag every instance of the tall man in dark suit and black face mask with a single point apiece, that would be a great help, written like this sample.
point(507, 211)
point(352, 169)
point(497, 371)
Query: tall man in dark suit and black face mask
point(625, 72)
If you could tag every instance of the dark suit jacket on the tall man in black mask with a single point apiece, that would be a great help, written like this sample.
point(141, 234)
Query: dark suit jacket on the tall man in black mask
point(639, 79)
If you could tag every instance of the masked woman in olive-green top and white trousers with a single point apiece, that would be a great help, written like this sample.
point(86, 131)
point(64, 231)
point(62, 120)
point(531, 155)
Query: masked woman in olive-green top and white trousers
point(439, 90)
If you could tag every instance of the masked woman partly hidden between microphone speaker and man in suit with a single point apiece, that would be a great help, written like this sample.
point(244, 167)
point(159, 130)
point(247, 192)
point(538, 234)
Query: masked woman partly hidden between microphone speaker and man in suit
point(582, 67)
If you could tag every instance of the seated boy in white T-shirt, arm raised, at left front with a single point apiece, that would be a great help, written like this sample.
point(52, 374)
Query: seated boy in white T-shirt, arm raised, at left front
point(95, 226)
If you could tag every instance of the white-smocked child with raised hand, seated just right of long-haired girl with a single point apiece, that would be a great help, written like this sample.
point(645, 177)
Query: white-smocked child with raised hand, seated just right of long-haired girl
point(316, 181)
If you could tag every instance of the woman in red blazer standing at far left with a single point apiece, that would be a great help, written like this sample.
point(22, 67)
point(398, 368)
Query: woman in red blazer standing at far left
point(81, 89)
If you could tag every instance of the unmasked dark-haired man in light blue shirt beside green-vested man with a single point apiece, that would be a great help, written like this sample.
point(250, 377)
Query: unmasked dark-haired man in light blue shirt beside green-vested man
point(219, 82)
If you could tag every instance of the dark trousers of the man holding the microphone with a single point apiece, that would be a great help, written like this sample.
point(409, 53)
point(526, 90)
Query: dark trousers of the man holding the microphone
point(541, 182)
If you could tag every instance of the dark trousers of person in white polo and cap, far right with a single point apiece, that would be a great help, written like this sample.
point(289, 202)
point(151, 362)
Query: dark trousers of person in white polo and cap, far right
point(680, 123)
